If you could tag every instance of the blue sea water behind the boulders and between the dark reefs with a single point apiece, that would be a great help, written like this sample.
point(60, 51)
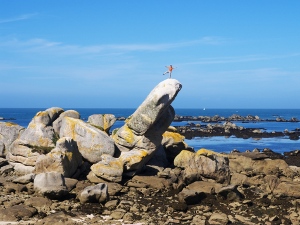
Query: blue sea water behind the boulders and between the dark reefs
point(23, 116)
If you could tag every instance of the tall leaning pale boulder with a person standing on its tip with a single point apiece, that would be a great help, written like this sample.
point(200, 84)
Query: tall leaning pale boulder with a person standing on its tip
point(143, 130)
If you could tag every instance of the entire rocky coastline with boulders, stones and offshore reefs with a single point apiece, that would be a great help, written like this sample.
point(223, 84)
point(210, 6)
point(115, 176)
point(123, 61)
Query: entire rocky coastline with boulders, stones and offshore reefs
point(62, 170)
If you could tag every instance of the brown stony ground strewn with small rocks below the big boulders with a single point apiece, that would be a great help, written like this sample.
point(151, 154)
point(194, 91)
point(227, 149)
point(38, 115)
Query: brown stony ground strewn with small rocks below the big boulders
point(153, 198)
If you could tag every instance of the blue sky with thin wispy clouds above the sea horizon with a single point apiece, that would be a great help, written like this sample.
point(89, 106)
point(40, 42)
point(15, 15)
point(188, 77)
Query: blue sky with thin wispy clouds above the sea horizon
point(103, 54)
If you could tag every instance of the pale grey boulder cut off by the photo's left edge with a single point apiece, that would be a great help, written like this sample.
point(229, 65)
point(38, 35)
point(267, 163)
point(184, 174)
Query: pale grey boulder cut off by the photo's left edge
point(9, 132)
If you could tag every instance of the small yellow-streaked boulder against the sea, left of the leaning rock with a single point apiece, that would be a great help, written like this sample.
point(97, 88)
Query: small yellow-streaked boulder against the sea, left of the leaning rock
point(103, 121)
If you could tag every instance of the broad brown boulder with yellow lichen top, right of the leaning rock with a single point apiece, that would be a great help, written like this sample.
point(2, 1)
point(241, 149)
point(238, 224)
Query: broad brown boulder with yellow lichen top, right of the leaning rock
point(209, 165)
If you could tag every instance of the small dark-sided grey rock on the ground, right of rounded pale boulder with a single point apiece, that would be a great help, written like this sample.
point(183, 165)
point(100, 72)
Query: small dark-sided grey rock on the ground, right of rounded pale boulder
point(94, 194)
